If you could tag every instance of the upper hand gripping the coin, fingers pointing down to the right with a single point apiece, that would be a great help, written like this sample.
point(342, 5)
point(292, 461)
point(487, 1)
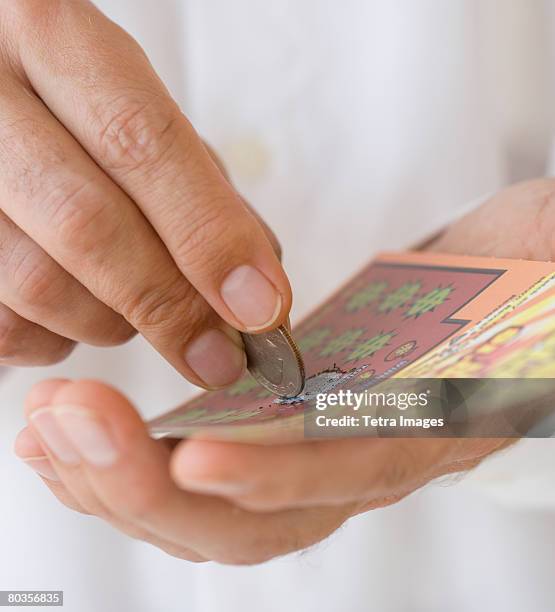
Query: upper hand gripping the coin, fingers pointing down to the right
point(113, 215)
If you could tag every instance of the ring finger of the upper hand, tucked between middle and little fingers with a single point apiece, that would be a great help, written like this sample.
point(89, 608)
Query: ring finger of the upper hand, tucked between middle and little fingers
point(40, 290)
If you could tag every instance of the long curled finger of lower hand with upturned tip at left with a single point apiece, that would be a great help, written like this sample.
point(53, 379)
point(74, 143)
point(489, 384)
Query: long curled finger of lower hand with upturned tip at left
point(129, 474)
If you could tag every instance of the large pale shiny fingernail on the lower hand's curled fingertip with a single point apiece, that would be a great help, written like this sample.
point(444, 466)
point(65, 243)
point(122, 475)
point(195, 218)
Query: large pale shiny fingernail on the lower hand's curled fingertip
point(87, 434)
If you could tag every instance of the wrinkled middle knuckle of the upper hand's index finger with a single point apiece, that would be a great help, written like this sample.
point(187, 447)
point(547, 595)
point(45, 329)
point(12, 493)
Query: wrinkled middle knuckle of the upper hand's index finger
point(136, 133)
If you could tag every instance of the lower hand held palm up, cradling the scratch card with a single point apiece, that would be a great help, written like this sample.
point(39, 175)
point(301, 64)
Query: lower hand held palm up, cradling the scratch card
point(244, 504)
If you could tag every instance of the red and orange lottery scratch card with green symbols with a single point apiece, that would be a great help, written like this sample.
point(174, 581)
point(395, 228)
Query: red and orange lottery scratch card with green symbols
point(417, 315)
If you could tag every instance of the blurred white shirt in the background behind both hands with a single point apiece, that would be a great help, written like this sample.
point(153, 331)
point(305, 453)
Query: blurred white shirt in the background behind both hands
point(352, 127)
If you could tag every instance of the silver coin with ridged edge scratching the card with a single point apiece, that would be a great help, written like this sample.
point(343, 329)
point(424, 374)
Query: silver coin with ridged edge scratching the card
point(275, 361)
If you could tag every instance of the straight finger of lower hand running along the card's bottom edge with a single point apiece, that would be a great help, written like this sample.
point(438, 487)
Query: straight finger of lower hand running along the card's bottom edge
point(309, 473)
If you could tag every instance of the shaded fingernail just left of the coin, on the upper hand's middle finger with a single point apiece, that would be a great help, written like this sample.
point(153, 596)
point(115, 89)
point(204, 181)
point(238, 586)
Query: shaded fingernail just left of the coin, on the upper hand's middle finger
point(215, 358)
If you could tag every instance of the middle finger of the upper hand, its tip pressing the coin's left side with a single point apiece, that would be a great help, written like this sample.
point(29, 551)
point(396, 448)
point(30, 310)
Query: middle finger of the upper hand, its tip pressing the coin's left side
point(54, 192)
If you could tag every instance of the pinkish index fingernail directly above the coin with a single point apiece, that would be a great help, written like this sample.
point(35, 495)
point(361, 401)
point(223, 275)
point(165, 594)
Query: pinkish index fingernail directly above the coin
point(251, 297)
